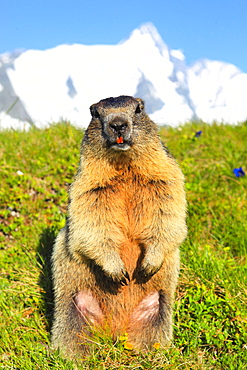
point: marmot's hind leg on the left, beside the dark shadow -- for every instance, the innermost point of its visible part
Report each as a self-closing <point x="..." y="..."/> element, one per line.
<point x="76" y="311"/>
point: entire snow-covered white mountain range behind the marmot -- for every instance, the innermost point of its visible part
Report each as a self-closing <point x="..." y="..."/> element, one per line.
<point x="41" y="87"/>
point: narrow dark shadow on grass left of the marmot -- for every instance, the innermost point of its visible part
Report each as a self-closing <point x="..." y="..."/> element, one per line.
<point x="44" y="252"/>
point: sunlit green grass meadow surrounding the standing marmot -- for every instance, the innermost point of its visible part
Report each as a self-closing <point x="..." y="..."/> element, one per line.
<point x="210" y="313"/>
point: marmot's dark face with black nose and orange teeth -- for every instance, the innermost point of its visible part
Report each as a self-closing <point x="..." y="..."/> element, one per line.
<point x="118" y="117"/>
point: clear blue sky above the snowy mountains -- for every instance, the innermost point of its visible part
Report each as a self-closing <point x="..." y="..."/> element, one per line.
<point x="214" y="29"/>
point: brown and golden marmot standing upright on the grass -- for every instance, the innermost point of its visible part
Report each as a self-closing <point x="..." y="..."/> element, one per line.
<point x="116" y="261"/>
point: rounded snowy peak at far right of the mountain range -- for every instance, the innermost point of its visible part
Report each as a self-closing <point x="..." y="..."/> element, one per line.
<point x="222" y="93"/>
